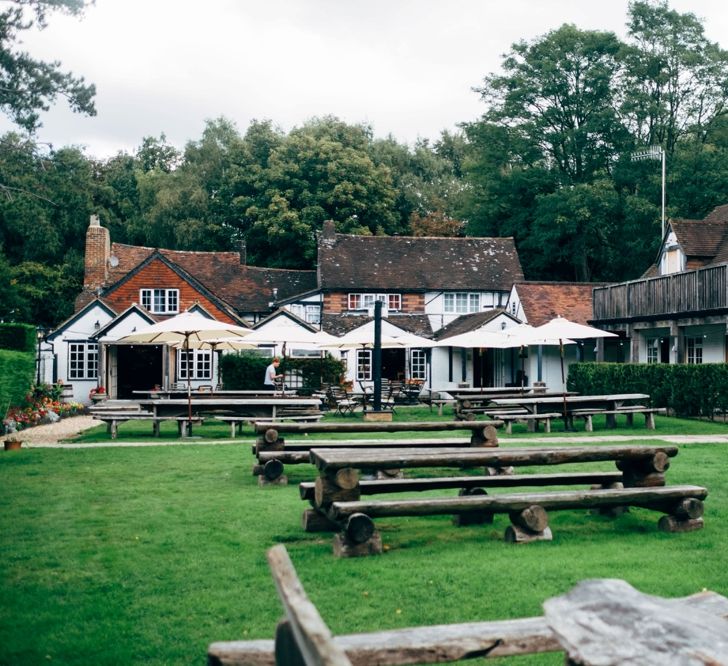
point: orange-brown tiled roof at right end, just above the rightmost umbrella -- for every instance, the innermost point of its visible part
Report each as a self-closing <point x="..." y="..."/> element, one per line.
<point x="542" y="301"/>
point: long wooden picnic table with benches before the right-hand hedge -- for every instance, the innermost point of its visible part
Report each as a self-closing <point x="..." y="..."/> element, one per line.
<point x="583" y="406"/>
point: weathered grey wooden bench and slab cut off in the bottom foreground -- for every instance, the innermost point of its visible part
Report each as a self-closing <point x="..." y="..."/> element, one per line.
<point x="697" y="621"/>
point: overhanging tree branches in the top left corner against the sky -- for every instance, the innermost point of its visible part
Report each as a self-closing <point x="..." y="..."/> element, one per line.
<point x="28" y="86"/>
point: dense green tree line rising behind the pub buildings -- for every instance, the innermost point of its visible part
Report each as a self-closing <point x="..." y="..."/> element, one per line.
<point x="549" y="163"/>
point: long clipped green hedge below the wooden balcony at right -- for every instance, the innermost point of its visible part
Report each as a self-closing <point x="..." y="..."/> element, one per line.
<point x="688" y="390"/>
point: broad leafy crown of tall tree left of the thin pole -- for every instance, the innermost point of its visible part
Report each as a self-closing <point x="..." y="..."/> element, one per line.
<point x="559" y="93"/>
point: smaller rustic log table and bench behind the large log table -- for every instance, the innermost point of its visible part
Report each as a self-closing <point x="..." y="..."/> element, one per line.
<point x="273" y="453"/>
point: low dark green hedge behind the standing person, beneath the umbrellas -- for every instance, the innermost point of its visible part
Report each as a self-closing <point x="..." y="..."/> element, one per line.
<point x="246" y="371"/>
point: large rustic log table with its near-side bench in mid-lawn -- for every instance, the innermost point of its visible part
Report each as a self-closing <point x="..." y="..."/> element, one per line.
<point x="338" y="490"/>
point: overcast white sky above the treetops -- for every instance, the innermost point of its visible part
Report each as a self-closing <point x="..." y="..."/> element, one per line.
<point x="407" y="67"/>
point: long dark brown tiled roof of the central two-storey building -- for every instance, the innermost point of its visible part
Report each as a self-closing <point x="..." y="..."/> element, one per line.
<point x="417" y="263"/>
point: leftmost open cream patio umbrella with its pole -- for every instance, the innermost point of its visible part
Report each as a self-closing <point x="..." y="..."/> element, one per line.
<point x="186" y="328"/>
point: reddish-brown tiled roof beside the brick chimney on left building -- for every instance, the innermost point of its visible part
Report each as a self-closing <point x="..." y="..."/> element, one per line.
<point x="245" y="288"/>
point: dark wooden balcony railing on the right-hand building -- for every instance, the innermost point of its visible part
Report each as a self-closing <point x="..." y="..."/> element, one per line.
<point x="692" y="291"/>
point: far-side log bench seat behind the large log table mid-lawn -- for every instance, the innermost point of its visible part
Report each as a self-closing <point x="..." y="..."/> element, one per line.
<point x="381" y="486"/>
